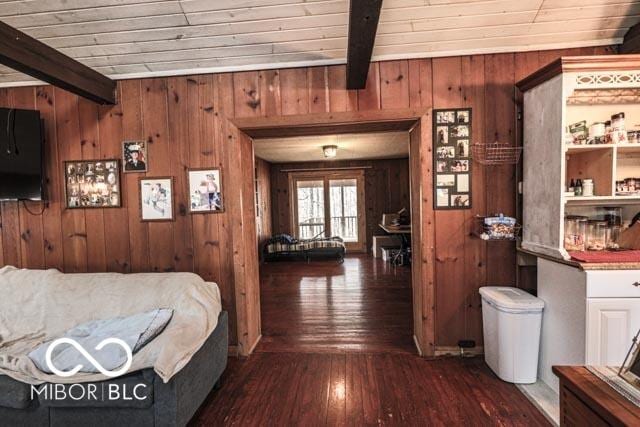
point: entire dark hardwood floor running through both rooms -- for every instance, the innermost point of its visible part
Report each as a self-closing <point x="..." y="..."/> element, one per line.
<point x="337" y="349"/>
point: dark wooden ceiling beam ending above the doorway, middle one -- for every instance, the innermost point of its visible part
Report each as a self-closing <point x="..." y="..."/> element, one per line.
<point x="363" y="24"/>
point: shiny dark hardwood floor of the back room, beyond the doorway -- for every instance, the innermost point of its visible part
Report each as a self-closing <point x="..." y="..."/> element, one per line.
<point x="362" y="305"/>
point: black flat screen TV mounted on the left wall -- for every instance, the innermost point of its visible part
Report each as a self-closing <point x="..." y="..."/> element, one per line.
<point x="21" y="172"/>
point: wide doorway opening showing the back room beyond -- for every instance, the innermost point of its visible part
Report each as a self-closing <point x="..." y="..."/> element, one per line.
<point x="319" y="300"/>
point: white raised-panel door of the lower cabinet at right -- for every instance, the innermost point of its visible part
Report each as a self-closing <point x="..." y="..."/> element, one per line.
<point x="611" y="324"/>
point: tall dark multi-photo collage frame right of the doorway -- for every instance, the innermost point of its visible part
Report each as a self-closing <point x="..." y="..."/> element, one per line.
<point x="452" y="165"/>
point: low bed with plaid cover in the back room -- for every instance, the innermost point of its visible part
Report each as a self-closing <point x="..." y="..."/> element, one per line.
<point x="286" y="248"/>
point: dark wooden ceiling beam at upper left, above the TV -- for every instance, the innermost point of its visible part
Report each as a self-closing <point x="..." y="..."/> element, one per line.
<point x="25" y="54"/>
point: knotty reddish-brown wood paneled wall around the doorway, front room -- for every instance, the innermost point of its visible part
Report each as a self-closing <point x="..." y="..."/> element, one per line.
<point x="184" y="121"/>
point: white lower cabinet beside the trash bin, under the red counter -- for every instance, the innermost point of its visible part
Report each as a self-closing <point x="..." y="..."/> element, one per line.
<point x="589" y="317"/>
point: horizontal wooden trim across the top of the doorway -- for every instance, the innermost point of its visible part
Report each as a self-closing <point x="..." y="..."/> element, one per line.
<point x="326" y="123"/>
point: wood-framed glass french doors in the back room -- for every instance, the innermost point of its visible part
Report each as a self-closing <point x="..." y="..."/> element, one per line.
<point x="328" y="204"/>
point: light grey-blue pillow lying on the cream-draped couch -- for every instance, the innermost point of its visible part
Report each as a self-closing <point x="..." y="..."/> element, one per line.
<point x="136" y="331"/>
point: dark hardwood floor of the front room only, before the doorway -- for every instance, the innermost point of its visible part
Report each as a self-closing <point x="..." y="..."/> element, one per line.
<point x="356" y="389"/>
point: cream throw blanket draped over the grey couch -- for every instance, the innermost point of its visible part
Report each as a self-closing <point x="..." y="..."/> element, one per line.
<point x="40" y="305"/>
